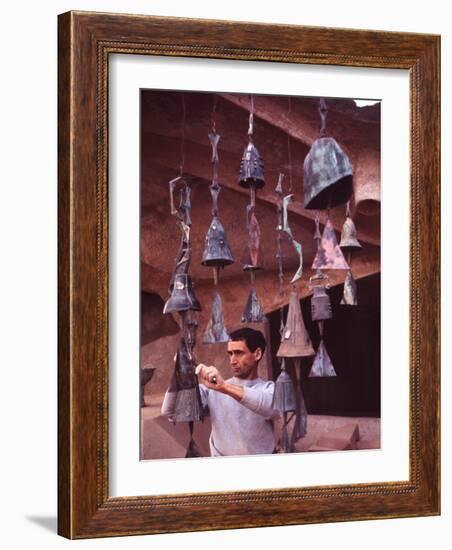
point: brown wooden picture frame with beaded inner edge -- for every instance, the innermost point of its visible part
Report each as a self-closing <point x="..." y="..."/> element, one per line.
<point x="85" y="508"/>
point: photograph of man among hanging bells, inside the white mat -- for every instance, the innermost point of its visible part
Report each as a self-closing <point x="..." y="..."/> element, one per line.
<point x="259" y="274"/>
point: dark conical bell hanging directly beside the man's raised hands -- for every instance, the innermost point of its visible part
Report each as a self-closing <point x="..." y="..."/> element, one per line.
<point x="188" y="406"/>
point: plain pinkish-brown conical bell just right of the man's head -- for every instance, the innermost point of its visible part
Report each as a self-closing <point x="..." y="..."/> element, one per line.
<point x="295" y="340"/>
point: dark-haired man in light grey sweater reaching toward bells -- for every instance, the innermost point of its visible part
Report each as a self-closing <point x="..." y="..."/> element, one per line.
<point x="240" y="407"/>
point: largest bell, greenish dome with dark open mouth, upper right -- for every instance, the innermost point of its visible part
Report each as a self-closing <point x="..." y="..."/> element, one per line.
<point x="328" y="178"/>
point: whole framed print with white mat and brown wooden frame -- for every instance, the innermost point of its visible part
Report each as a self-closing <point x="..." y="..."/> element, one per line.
<point x="248" y="274"/>
